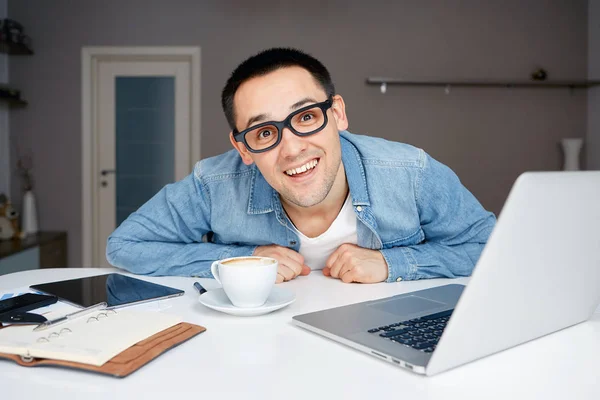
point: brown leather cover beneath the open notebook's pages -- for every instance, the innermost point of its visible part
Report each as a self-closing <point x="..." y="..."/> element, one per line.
<point x="129" y="360"/>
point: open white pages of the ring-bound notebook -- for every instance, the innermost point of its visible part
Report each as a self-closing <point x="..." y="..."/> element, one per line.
<point x="91" y="339"/>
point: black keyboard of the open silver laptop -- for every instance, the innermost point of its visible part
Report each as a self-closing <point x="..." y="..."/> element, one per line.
<point x="420" y="333"/>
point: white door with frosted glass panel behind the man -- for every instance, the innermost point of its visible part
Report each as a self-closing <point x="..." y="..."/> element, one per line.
<point x="143" y="138"/>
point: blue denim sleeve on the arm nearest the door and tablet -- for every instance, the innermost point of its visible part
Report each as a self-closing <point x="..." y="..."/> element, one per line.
<point x="165" y="235"/>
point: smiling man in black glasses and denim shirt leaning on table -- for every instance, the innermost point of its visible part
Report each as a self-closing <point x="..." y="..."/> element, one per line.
<point x="299" y="188"/>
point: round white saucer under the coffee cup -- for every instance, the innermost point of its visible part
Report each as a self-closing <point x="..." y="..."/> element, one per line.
<point x="218" y="300"/>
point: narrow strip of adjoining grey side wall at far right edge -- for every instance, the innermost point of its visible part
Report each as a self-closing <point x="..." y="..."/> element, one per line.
<point x="593" y="113"/>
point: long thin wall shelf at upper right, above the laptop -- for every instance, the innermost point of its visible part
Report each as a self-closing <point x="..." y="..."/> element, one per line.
<point x="384" y="82"/>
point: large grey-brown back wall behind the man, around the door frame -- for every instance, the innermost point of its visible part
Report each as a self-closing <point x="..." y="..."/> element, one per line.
<point x="488" y="136"/>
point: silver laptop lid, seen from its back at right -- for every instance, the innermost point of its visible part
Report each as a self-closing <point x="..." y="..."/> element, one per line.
<point x="539" y="272"/>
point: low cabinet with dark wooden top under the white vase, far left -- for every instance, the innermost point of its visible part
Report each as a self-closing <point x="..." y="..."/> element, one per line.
<point x="42" y="250"/>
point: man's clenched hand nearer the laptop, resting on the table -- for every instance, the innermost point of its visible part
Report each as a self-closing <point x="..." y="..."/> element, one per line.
<point x="351" y="263"/>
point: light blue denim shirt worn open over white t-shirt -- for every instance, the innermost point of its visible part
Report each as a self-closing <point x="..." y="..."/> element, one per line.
<point x="410" y="207"/>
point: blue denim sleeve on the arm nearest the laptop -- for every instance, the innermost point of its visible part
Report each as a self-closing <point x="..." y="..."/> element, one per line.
<point x="455" y="225"/>
